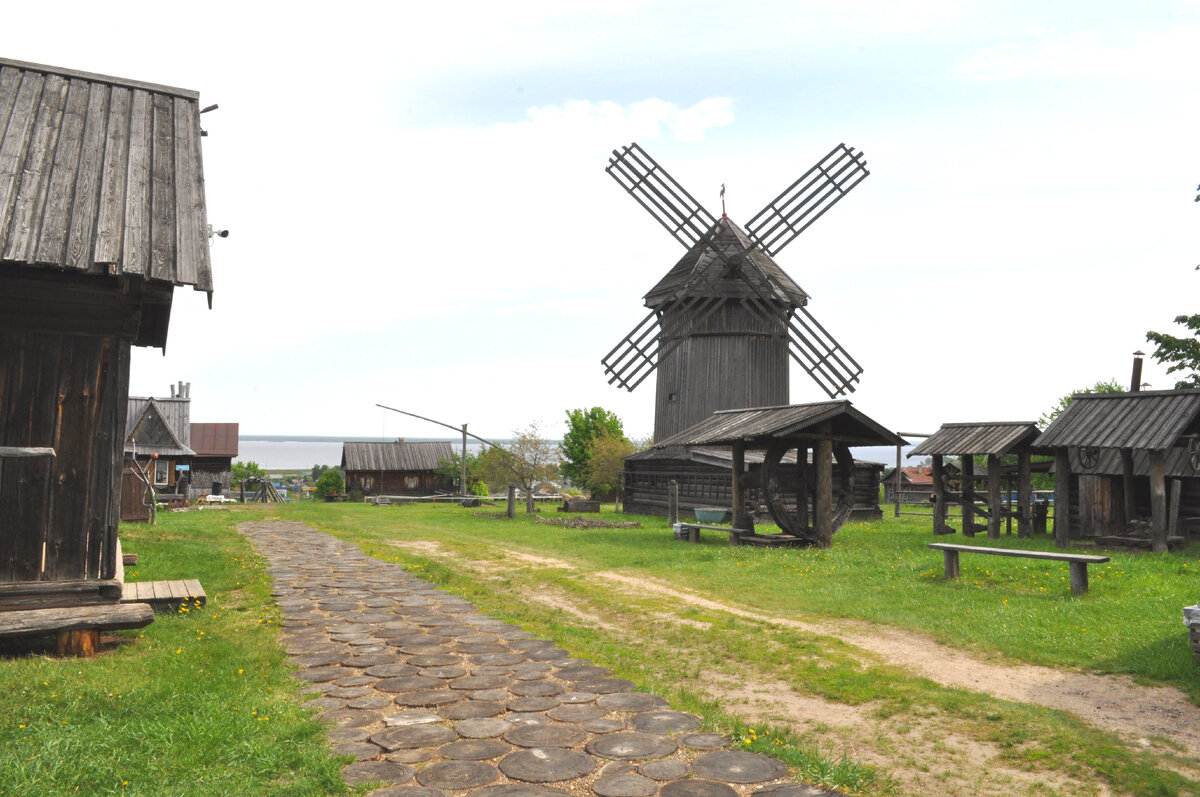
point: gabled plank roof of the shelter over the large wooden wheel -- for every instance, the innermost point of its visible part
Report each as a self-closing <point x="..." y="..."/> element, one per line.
<point x="763" y="426"/>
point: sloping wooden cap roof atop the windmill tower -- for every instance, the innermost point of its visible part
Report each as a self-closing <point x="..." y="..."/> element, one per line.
<point x="704" y="266"/>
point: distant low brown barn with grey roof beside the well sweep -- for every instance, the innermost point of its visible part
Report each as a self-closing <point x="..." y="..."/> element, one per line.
<point x="397" y="469"/>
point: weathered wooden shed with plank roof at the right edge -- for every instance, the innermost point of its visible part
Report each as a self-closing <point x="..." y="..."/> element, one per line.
<point x="1127" y="468"/>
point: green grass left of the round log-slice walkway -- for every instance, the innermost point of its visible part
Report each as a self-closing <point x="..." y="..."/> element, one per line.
<point x="199" y="703"/>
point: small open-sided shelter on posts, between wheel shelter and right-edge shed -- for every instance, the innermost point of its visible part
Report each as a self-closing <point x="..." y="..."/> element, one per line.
<point x="994" y="441"/>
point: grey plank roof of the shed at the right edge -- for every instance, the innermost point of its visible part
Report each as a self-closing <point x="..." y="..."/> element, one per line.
<point x="1151" y="421"/>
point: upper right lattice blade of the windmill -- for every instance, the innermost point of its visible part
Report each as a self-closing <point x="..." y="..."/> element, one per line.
<point x="807" y="200"/>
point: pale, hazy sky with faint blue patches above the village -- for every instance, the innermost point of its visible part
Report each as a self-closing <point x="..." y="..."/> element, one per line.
<point x="419" y="214"/>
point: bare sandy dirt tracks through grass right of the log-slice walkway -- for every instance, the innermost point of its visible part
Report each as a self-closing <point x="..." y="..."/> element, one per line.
<point x="1114" y="704"/>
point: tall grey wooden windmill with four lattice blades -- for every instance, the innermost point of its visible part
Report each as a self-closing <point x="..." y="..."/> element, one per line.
<point x="727" y="319"/>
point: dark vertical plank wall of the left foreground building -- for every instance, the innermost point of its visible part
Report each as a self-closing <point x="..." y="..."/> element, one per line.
<point x="69" y="393"/>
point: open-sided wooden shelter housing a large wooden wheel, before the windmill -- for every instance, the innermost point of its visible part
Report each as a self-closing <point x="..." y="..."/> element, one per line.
<point x="797" y="492"/>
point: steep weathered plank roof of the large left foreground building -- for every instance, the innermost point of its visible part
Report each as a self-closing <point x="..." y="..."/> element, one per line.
<point x="101" y="176"/>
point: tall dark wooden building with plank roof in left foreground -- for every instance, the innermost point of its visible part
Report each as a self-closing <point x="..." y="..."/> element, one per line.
<point x="103" y="215"/>
